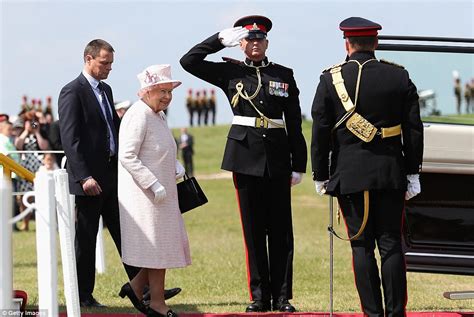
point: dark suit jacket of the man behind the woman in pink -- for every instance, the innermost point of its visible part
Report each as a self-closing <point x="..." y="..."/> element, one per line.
<point x="84" y="135"/>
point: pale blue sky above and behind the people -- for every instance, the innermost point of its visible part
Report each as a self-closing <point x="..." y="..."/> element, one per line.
<point x="42" y="41"/>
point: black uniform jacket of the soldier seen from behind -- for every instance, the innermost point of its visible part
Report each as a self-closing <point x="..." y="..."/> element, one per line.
<point x="387" y="97"/>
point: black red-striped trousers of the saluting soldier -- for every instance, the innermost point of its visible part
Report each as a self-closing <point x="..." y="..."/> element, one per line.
<point x="265" y="210"/>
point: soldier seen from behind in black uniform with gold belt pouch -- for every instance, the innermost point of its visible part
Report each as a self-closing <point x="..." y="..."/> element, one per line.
<point x="367" y="149"/>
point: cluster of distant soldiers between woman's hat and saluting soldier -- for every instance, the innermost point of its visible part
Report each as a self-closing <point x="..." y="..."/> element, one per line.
<point x="201" y="107"/>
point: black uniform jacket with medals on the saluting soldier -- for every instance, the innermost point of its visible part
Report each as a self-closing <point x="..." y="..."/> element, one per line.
<point x="250" y="150"/>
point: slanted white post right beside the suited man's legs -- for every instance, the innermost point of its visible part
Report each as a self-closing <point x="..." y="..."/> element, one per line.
<point x="66" y="223"/>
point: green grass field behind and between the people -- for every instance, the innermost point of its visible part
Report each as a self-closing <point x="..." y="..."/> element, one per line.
<point x="216" y="280"/>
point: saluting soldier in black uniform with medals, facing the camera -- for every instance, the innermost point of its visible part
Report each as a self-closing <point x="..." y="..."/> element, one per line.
<point x="265" y="158"/>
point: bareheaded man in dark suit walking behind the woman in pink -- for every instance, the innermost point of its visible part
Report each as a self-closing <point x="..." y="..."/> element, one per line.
<point x="89" y="129"/>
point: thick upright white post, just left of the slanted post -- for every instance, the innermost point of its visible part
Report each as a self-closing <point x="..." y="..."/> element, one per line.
<point x="46" y="243"/>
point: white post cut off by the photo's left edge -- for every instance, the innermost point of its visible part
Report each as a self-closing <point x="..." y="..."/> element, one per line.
<point x="6" y="263"/>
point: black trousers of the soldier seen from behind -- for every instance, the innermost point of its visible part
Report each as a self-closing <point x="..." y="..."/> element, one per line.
<point x="384" y="230"/>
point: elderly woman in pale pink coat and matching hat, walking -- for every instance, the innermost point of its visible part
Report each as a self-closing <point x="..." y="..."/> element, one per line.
<point x="152" y="228"/>
